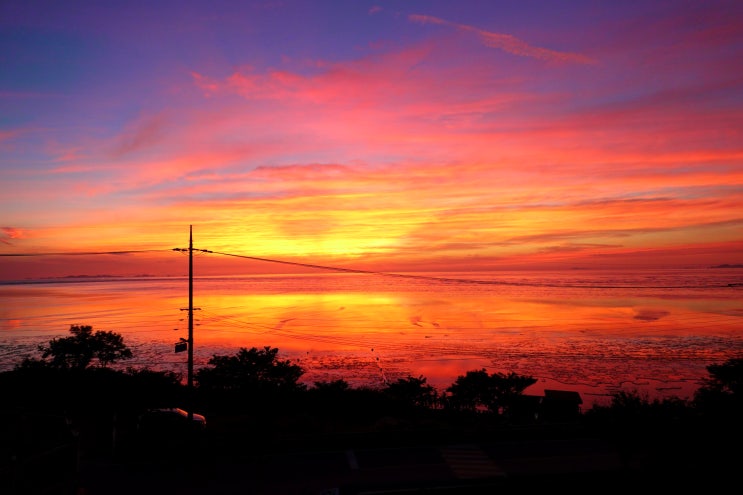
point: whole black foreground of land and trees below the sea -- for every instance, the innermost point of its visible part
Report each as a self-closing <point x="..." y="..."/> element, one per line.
<point x="91" y="431"/>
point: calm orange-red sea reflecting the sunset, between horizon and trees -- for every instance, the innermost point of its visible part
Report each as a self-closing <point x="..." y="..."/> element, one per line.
<point x="597" y="332"/>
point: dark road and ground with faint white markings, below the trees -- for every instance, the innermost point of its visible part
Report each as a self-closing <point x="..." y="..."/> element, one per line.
<point x="227" y="459"/>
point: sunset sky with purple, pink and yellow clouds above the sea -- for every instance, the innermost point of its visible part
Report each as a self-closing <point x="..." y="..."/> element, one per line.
<point x="373" y="135"/>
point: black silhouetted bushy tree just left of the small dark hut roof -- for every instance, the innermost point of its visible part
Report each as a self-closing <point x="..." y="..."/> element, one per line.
<point x="494" y="392"/>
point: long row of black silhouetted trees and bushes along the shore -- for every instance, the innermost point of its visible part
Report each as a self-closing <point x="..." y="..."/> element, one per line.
<point x="73" y="374"/>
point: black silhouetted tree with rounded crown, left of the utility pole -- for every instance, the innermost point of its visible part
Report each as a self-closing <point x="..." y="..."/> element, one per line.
<point x="81" y="349"/>
